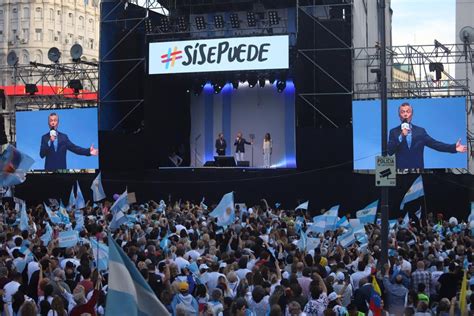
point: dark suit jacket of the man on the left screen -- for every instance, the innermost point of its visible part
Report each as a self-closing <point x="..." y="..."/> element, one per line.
<point x="56" y="159"/>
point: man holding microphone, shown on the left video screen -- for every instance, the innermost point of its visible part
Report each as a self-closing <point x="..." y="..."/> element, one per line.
<point x="54" y="146"/>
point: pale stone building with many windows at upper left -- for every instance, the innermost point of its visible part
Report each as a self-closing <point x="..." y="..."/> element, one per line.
<point x="31" y="27"/>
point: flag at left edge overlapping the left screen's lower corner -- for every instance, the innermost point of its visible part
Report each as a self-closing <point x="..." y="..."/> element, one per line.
<point x="13" y="166"/>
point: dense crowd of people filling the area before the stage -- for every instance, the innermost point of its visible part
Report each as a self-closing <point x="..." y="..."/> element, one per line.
<point x="268" y="261"/>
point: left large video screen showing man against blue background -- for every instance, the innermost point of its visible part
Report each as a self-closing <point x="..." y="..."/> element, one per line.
<point x="74" y="135"/>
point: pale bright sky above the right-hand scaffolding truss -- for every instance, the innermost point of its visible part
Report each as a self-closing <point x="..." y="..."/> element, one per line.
<point x="420" y="22"/>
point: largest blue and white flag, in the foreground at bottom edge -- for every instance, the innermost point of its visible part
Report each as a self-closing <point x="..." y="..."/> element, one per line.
<point x="128" y="293"/>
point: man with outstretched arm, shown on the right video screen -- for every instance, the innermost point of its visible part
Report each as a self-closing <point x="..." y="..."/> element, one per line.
<point x="408" y="141"/>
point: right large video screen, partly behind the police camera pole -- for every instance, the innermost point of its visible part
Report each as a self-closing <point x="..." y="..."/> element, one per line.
<point x="423" y="133"/>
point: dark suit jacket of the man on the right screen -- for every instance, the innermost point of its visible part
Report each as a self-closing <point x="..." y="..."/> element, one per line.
<point x="408" y="158"/>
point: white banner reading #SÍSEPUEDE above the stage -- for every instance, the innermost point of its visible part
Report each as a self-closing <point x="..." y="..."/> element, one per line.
<point x="224" y="54"/>
